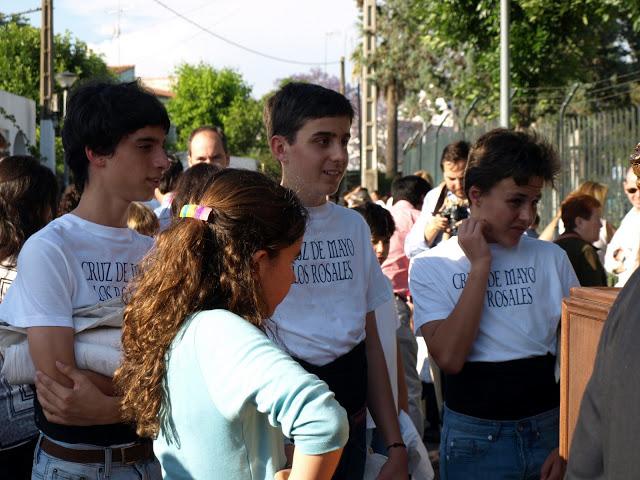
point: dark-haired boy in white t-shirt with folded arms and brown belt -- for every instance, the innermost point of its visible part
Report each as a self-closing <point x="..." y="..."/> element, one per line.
<point x="113" y="138"/>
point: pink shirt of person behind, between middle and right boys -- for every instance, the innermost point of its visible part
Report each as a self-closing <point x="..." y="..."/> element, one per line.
<point x="396" y="266"/>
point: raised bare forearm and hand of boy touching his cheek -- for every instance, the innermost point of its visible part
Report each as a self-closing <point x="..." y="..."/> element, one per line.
<point x="450" y="340"/>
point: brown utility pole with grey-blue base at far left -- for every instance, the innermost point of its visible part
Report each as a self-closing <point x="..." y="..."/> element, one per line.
<point x="47" y="132"/>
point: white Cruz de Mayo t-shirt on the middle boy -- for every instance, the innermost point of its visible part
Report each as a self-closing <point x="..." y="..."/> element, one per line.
<point x="338" y="280"/>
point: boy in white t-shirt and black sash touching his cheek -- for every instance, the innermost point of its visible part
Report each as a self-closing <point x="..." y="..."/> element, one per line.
<point x="488" y="304"/>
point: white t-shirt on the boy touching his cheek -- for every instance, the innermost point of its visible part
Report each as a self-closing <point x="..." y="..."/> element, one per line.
<point x="522" y="304"/>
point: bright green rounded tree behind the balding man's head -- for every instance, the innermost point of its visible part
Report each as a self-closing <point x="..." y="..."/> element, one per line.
<point x="206" y="96"/>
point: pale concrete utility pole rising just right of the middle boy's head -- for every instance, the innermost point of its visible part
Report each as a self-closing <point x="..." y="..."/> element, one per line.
<point x="369" y="95"/>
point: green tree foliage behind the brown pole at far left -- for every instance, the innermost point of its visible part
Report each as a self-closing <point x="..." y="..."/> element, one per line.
<point x="20" y="58"/>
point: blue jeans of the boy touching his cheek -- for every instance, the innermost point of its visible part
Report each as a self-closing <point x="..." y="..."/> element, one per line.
<point x="474" y="448"/>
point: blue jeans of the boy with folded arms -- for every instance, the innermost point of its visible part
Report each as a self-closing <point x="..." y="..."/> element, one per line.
<point x="46" y="467"/>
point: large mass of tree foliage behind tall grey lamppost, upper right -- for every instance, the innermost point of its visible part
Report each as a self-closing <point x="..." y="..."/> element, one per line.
<point x="450" y="48"/>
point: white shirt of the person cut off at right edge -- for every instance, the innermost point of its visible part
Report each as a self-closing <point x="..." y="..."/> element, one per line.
<point x="627" y="238"/>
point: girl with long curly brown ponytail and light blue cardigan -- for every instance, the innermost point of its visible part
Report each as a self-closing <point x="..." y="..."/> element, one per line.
<point x="199" y="374"/>
